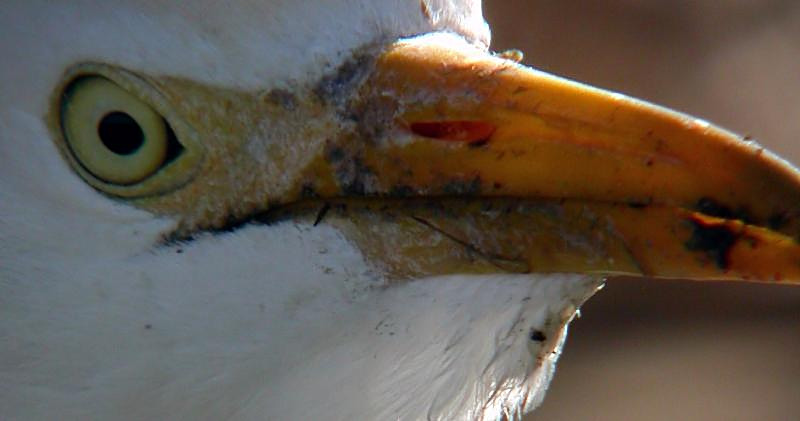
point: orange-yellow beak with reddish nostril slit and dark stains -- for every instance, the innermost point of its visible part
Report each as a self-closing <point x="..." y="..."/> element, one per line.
<point x="591" y="181"/>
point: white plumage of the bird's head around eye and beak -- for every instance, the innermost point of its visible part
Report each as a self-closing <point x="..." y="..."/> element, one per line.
<point x="99" y="320"/>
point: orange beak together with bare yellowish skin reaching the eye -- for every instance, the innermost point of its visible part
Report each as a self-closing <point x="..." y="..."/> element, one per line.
<point x="438" y="159"/>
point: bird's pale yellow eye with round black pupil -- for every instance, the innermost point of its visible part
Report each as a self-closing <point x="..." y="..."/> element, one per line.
<point x="112" y="134"/>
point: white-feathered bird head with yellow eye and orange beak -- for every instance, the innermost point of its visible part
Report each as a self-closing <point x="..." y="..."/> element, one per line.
<point x="342" y="209"/>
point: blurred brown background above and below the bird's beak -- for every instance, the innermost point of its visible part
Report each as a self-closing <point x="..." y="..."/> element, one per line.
<point x="667" y="350"/>
